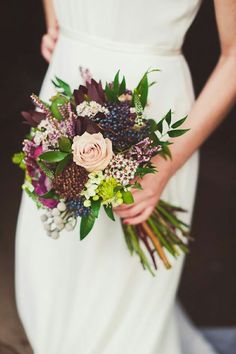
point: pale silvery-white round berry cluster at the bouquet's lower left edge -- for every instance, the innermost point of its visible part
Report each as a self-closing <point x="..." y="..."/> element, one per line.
<point x="57" y="219"/>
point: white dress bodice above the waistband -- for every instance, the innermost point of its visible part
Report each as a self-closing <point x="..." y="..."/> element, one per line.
<point x="161" y="23"/>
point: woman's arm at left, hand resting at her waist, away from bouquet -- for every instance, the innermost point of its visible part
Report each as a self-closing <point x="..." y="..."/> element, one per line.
<point x="50" y="38"/>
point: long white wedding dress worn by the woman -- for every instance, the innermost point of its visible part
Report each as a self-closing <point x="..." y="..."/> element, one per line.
<point x="91" y="296"/>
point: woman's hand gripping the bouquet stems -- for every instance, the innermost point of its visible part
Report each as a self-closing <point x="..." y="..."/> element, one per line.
<point x="146" y="199"/>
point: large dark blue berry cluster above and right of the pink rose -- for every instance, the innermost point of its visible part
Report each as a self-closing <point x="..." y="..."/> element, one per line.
<point x="119" y="126"/>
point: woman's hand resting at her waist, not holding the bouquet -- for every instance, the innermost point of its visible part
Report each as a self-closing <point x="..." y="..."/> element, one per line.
<point x="48" y="43"/>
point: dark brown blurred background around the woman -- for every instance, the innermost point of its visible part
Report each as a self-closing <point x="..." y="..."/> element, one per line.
<point x="208" y="287"/>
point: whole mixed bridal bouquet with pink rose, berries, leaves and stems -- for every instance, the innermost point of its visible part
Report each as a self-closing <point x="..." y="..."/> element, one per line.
<point x="86" y="149"/>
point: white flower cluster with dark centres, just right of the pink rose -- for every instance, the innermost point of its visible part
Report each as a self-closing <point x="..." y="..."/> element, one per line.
<point x="122" y="169"/>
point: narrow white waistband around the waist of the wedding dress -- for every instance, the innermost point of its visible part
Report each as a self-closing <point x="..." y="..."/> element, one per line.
<point x="107" y="44"/>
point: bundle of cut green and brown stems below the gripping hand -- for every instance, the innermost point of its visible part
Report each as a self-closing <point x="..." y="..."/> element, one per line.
<point x="162" y="232"/>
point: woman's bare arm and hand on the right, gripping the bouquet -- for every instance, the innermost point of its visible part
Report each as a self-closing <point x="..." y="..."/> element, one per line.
<point x="216" y="99"/>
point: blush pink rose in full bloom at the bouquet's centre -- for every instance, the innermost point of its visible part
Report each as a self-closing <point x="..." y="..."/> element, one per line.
<point x="92" y="151"/>
